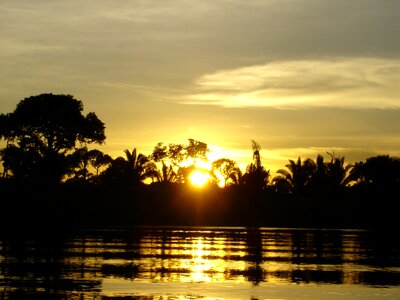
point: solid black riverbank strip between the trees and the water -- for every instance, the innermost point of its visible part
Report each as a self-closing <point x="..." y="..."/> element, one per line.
<point x="67" y="207"/>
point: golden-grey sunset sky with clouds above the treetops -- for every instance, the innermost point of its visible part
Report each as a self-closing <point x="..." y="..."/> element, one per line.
<point x="300" y="77"/>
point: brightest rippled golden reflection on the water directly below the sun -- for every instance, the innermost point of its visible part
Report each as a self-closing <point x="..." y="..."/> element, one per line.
<point x="194" y="259"/>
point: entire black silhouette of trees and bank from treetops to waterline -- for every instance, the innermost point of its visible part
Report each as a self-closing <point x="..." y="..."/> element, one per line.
<point x="51" y="176"/>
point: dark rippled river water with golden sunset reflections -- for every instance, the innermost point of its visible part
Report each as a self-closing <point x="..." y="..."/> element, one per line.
<point x="202" y="263"/>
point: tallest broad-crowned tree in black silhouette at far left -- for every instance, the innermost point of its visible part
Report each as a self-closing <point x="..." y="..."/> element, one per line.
<point x="41" y="131"/>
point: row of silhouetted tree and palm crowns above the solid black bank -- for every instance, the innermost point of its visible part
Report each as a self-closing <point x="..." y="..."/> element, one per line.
<point x="47" y="139"/>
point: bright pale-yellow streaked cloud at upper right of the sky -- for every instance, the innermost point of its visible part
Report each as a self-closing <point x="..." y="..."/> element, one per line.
<point x="340" y="82"/>
